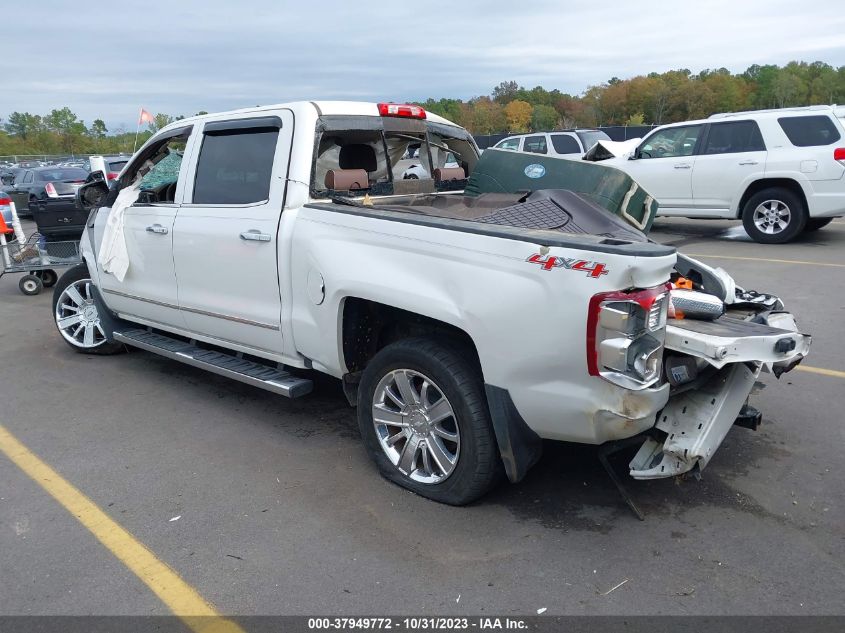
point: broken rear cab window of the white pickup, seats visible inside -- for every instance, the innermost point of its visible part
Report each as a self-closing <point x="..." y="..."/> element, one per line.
<point x="389" y="155"/>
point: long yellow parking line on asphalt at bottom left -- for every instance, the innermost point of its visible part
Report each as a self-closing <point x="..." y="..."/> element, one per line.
<point x="182" y="599"/>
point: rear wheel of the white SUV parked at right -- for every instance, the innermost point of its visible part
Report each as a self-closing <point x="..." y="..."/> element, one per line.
<point x="774" y="216"/>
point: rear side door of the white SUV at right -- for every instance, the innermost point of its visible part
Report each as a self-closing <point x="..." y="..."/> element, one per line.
<point x="732" y="153"/>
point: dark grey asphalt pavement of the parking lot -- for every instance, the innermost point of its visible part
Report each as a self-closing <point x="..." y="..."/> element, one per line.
<point x="265" y="505"/>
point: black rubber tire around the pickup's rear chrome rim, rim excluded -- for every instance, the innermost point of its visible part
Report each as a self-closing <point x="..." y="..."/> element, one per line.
<point x="478" y="460"/>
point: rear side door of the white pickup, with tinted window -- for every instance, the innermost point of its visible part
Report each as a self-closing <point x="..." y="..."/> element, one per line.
<point x="225" y="237"/>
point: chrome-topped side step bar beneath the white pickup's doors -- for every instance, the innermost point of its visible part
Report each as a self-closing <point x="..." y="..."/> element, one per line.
<point x="246" y="371"/>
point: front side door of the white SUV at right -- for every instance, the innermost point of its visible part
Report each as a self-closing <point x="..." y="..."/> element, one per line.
<point x="663" y="166"/>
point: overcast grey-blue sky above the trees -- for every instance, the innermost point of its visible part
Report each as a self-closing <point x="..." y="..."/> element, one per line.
<point x="106" y="59"/>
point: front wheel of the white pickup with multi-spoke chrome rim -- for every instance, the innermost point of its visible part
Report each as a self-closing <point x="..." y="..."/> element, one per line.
<point x="77" y="316"/>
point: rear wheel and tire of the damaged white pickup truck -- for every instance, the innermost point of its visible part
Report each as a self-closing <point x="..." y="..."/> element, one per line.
<point x="424" y="420"/>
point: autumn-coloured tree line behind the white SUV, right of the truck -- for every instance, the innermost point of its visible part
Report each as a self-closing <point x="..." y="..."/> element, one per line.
<point x="656" y="98"/>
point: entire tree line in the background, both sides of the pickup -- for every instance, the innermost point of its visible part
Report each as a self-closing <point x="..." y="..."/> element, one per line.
<point x="656" y="98"/>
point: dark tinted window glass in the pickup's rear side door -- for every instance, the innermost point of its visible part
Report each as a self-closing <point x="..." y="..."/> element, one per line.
<point x="234" y="166"/>
